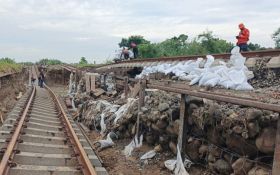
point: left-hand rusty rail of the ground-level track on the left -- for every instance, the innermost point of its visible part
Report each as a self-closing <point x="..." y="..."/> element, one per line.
<point x="4" y="165"/>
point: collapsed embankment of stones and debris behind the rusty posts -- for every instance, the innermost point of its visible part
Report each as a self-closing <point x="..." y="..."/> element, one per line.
<point x="221" y="138"/>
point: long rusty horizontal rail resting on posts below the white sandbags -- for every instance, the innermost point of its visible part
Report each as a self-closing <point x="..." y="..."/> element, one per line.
<point x="228" y="99"/>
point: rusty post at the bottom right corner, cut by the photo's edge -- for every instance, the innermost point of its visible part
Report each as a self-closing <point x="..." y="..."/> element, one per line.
<point x="276" y="160"/>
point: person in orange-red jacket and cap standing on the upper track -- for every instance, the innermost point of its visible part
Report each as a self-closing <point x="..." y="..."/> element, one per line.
<point x="243" y="38"/>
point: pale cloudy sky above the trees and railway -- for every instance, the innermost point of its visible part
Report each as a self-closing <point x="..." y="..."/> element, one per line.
<point x="69" y="29"/>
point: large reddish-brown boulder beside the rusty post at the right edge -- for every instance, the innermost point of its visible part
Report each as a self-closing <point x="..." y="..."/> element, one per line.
<point x="266" y="141"/>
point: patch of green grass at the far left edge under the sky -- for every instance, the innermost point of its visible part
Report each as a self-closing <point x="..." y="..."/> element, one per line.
<point x="9" y="65"/>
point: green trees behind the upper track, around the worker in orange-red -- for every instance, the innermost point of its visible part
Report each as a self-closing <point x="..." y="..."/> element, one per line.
<point x="204" y="43"/>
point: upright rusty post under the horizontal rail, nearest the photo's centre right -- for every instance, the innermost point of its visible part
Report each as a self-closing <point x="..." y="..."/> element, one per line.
<point x="183" y="125"/>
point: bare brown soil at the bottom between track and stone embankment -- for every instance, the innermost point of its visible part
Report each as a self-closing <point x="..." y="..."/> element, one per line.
<point x="116" y="162"/>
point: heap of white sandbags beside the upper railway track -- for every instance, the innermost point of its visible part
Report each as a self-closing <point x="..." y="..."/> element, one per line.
<point x="231" y="75"/>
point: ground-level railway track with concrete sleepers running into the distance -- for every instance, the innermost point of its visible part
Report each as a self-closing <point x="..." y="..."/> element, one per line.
<point x="39" y="138"/>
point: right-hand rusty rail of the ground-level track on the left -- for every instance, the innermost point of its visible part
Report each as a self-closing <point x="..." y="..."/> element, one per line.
<point x="82" y="157"/>
